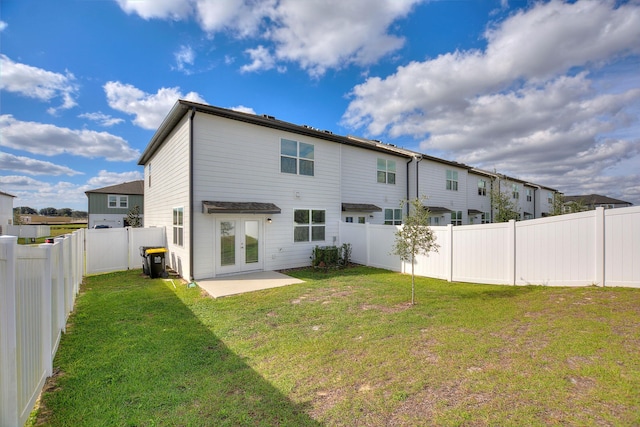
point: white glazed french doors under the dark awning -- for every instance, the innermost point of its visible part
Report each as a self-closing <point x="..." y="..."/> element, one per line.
<point x="238" y="245"/>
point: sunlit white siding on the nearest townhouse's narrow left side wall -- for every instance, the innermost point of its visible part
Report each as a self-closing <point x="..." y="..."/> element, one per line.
<point x="169" y="189"/>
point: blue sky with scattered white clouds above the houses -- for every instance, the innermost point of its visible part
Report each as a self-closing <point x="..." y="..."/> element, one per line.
<point x="547" y="92"/>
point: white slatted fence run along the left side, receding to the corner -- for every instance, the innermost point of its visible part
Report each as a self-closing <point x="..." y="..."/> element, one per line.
<point x="38" y="286"/>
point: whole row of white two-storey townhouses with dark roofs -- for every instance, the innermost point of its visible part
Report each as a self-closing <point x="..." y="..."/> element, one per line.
<point x="240" y="192"/>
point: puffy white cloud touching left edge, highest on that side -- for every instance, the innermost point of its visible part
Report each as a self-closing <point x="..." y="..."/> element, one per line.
<point x="37" y="83"/>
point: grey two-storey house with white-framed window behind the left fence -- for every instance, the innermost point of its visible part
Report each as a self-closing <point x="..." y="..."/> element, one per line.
<point x="110" y="206"/>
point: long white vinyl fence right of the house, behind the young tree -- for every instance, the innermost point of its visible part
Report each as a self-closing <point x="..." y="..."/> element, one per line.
<point x="600" y="247"/>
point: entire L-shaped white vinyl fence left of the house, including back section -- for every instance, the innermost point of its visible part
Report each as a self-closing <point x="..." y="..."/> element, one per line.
<point x="38" y="286"/>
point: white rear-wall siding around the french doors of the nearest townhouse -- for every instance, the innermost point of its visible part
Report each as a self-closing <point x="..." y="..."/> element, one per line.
<point x="240" y="162"/>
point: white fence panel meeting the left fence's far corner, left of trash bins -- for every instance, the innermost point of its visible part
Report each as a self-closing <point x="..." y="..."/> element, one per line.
<point x="107" y="250"/>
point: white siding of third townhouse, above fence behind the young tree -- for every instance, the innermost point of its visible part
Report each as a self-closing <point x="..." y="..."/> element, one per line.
<point x="432" y="179"/>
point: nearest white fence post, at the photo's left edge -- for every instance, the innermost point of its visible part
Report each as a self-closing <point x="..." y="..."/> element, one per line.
<point x="8" y="339"/>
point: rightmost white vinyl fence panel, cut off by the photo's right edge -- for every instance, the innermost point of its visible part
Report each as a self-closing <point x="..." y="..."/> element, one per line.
<point x="622" y="247"/>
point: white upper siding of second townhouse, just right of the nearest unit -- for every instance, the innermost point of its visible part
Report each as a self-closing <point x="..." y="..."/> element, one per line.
<point x="360" y="185"/>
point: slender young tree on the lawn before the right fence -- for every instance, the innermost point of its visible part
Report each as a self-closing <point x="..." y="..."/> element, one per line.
<point x="414" y="237"/>
